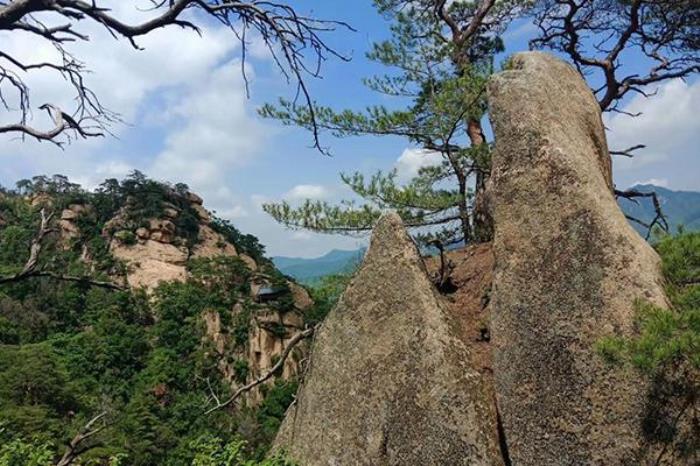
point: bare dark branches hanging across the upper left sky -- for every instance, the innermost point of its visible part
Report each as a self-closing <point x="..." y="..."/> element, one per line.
<point x="294" y="41"/>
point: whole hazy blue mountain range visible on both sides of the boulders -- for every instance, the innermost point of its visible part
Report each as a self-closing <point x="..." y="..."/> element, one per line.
<point x="681" y="208"/>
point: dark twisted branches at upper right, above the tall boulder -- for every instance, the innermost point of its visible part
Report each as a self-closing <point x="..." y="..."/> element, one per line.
<point x="662" y="31"/>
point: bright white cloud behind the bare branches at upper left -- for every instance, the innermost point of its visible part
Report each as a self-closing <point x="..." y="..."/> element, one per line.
<point x="119" y="74"/>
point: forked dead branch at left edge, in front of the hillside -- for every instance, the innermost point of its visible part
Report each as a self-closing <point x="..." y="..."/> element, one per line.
<point x="31" y="267"/>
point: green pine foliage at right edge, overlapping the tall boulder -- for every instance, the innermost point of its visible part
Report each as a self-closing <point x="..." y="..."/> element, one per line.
<point x="666" y="349"/>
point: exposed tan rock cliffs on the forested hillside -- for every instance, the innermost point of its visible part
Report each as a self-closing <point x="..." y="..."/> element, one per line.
<point x="154" y="251"/>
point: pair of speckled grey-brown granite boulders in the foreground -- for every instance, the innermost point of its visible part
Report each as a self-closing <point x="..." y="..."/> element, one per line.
<point x="503" y="370"/>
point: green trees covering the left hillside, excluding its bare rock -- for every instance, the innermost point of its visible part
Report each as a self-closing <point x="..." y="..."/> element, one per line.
<point x="70" y="352"/>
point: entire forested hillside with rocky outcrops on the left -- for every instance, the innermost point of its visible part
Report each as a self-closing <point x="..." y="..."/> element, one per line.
<point x="83" y="352"/>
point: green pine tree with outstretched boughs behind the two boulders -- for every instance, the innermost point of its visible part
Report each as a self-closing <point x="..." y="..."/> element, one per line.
<point x="440" y="57"/>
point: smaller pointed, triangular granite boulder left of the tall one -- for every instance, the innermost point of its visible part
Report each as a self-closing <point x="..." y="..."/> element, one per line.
<point x="389" y="381"/>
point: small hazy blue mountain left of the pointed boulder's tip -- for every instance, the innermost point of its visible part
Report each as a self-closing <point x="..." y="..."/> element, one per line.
<point x="309" y="271"/>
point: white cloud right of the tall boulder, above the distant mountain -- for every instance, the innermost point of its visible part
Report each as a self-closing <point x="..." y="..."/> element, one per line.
<point x="669" y="127"/>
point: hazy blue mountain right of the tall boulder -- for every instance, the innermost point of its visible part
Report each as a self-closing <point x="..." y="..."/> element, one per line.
<point x="679" y="207"/>
